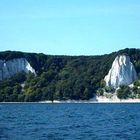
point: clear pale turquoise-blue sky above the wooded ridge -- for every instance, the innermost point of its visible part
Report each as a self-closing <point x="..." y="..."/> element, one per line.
<point x="69" y="27"/>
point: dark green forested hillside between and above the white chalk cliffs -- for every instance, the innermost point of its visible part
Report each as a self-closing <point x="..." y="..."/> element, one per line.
<point x="60" y="77"/>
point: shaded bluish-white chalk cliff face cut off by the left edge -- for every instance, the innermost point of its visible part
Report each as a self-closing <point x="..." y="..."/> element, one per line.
<point x="11" y="67"/>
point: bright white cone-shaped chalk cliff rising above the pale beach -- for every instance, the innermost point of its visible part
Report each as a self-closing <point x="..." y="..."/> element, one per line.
<point x="122" y="72"/>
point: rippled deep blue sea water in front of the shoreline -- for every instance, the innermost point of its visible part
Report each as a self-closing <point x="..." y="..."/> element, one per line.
<point x="34" y="121"/>
